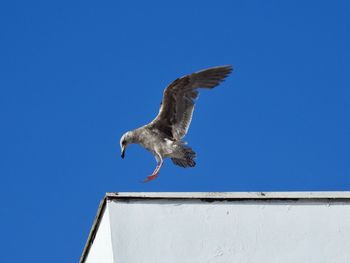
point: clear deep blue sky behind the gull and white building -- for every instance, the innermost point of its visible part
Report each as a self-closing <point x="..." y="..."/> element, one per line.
<point x="75" y="75"/>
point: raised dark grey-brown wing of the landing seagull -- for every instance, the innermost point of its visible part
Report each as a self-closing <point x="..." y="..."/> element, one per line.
<point x="177" y="107"/>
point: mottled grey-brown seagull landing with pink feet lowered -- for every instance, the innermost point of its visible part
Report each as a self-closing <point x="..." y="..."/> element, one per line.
<point x="163" y="136"/>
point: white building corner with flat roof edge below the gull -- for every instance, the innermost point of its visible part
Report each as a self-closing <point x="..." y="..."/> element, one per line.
<point x="221" y="227"/>
